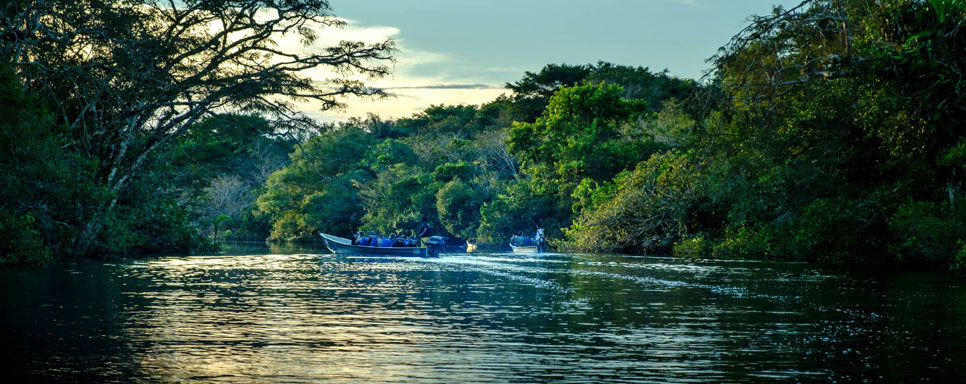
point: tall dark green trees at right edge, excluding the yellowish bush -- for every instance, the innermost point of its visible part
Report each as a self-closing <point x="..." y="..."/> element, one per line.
<point x="843" y="132"/>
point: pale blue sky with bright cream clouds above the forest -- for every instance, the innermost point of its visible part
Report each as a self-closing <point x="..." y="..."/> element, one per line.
<point x="463" y="52"/>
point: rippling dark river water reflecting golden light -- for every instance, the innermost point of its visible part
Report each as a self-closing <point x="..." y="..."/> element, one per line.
<point x="277" y="315"/>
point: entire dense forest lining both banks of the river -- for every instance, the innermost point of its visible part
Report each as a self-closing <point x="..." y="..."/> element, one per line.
<point x="829" y="132"/>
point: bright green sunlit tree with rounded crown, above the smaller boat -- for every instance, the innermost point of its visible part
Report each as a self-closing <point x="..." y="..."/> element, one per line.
<point x="588" y="132"/>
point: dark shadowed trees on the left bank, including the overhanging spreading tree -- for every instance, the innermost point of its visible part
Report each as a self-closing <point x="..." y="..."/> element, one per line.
<point x="99" y="93"/>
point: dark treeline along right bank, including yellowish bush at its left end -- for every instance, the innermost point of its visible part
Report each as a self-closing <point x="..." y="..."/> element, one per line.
<point x="838" y="138"/>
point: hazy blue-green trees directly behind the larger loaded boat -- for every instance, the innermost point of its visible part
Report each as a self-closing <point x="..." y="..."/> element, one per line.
<point x="385" y="176"/>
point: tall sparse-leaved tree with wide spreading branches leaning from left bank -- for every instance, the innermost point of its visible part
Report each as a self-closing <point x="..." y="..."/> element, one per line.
<point x="127" y="77"/>
